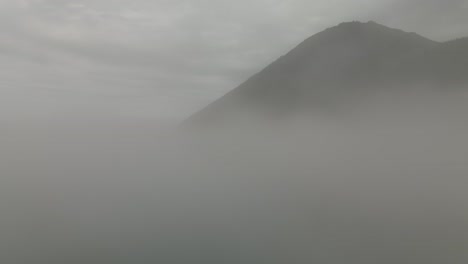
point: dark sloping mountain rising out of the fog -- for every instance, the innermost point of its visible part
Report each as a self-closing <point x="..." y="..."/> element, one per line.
<point x="351" y="59"/>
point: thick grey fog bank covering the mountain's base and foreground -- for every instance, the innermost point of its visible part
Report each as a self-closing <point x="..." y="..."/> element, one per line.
<point x="380" y="182"/>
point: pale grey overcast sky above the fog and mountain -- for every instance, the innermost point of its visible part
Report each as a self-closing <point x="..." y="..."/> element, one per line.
<point x="164" y="59"/>
